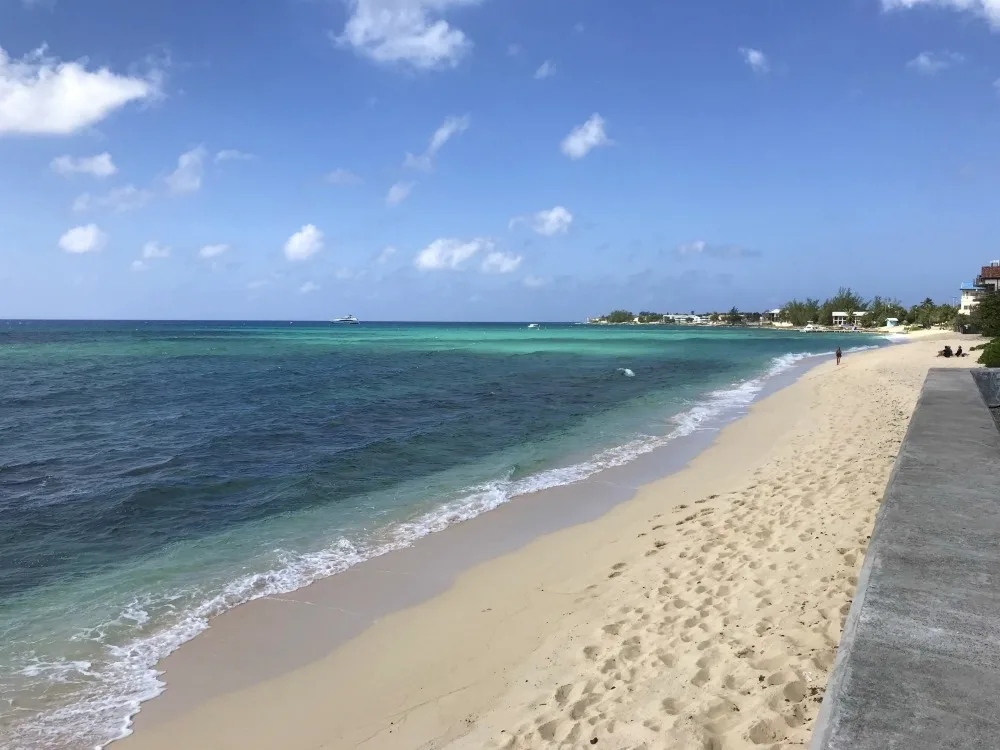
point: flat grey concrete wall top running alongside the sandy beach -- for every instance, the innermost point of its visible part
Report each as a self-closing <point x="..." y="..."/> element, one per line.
<point x="918" y="667"/>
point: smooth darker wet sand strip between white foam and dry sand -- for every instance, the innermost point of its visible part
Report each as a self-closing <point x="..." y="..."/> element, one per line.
<point x="436" y="559"/>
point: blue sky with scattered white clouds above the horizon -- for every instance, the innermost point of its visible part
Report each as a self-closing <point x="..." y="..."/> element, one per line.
<point x="491" y="159"/>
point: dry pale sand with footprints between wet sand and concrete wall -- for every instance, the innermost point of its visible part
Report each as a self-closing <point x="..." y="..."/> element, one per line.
<point x="703" y="613"/>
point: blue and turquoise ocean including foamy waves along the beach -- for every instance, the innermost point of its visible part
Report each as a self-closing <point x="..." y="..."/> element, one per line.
<point x="154" y="474"/>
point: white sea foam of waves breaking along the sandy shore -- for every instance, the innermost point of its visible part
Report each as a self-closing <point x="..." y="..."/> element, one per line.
<point x="115" y="689"/>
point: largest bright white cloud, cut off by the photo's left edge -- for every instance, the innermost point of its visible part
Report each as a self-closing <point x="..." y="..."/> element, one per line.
<point x="40" y="95"/>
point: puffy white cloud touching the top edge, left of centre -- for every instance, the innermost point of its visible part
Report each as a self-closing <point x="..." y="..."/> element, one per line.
<point x="410" y="32"/>
